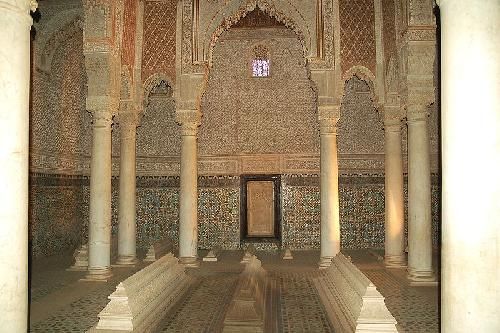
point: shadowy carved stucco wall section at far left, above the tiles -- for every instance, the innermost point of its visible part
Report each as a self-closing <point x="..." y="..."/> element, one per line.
<point x="60" y="125"/>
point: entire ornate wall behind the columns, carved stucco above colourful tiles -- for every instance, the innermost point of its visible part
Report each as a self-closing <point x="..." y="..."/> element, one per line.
<point x="241" y="115"/>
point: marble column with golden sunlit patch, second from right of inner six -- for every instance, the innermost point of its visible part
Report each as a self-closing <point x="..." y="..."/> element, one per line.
<point x="394" y="198"/>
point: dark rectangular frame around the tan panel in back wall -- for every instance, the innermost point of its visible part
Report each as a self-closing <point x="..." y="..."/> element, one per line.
<point x="276" y="179"/>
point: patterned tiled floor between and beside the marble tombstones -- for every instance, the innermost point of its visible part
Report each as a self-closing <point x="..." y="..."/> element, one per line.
<point x="60" y="303"/>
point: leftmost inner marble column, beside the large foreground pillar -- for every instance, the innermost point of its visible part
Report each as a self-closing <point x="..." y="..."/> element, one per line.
<point x="99" y="249"/>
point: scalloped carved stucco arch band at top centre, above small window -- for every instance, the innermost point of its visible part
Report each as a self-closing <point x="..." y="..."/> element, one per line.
<point x="282" y="10"/>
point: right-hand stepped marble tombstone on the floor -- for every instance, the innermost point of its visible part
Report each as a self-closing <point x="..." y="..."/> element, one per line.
<point x="351" y="301"/>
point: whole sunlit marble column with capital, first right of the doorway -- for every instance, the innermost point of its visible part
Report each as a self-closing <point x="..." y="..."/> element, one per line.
<point x="329" y="186"/>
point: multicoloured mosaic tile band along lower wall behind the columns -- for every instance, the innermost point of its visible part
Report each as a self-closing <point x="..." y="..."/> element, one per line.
<point x="59" y="212"/>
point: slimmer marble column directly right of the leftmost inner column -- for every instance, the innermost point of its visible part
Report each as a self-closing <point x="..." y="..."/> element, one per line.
<point x="127" y="190"/>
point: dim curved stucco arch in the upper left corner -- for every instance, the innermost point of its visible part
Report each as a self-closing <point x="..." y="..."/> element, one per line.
<point x="54" y="33"/>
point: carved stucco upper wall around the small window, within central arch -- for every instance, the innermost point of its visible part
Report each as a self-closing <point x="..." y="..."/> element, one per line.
<point x="248" y="115"/>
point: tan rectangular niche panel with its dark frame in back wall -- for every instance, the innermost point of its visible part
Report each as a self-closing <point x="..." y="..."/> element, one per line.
<point x="260" y="208"/>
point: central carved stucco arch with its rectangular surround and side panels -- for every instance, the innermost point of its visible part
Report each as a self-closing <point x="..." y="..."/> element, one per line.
<point x="198" y="42"/>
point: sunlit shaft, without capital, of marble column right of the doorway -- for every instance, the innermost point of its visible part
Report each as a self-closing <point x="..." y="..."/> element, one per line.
<point x="329" y="188"/>
